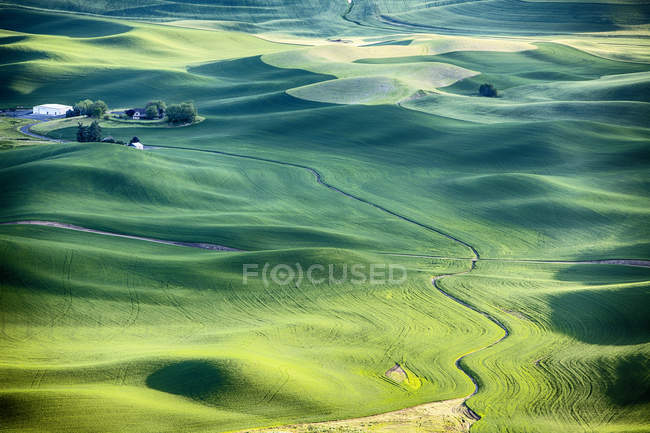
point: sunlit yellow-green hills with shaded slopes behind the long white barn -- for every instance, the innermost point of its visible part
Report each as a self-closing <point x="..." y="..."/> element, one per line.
<point x="152" y="59"/>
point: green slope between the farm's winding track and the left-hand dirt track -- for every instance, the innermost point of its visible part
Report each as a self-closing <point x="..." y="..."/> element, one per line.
<point x="194" y="197"/>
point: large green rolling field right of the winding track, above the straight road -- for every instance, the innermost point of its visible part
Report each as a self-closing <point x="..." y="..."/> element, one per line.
<point x="529" y="186"/>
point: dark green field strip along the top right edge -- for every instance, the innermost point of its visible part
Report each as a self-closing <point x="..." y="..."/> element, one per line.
<point x="499" y="17"/>
